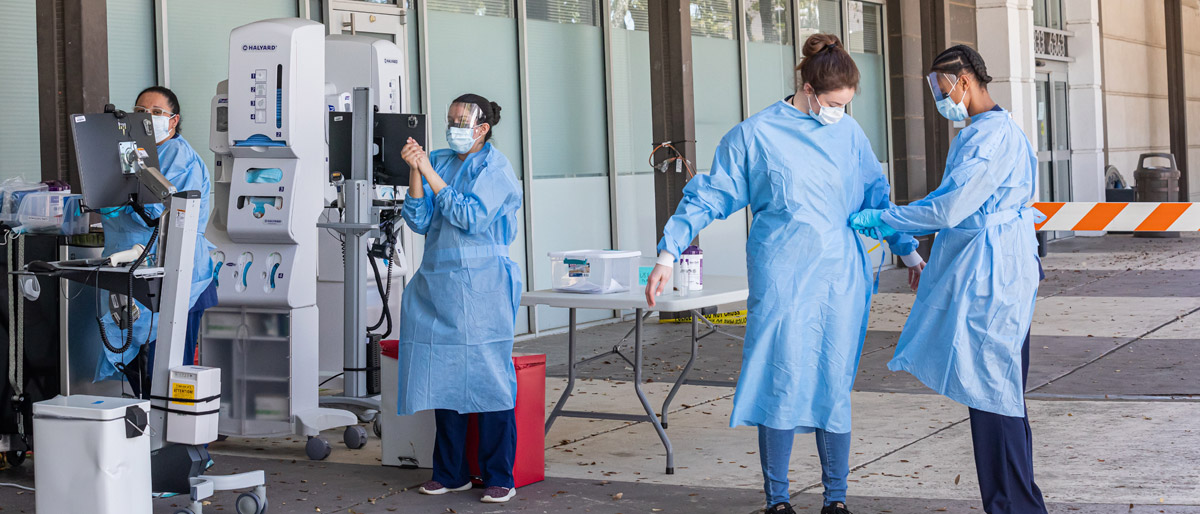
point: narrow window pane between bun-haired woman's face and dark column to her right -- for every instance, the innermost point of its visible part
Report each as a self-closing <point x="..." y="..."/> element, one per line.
<point x="871" y="107"/>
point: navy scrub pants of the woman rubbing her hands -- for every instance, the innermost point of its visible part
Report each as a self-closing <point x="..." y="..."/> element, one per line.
<point x="497" y="449"/>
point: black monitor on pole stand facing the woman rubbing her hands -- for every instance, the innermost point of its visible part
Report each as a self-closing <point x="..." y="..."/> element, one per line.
<point x="392" y="133"/>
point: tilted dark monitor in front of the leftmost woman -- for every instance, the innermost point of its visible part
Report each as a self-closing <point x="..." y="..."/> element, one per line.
<point x="107" y="148"/>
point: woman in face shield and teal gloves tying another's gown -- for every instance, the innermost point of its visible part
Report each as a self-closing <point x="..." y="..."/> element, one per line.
<point x="969" y="334"/>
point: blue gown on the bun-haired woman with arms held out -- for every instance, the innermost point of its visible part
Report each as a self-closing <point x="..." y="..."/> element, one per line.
<point x="809" y="274"/>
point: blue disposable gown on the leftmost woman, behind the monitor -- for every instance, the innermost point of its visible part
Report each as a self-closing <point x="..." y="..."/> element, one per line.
<point x="185" y="169"/>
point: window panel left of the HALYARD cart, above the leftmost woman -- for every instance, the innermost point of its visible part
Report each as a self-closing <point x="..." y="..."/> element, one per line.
<point x="200" y="55"/>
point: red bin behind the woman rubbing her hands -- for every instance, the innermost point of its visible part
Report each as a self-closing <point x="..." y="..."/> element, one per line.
<point x="530" y="467"/>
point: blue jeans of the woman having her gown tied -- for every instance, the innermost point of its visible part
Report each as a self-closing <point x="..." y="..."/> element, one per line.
<point x="776" y="453"/>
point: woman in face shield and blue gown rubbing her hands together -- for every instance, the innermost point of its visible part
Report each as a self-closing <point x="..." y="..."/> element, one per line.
<point x="459" y="313"/>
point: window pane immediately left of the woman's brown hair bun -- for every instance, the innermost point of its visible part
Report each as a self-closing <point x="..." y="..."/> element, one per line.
<point x="771" y="56"/>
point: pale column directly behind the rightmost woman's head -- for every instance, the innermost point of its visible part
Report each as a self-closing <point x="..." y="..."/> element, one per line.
<point x="1006" y="43"/>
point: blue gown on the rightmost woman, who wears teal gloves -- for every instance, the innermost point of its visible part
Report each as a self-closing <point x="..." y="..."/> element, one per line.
<point x="976" y="298"/>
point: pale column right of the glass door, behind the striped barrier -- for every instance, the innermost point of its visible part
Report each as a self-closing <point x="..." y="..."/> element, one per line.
<point x="1087" y="100"/>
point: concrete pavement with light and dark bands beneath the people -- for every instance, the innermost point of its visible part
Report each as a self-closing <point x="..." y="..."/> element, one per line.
<point x="1113" y="397"/>
